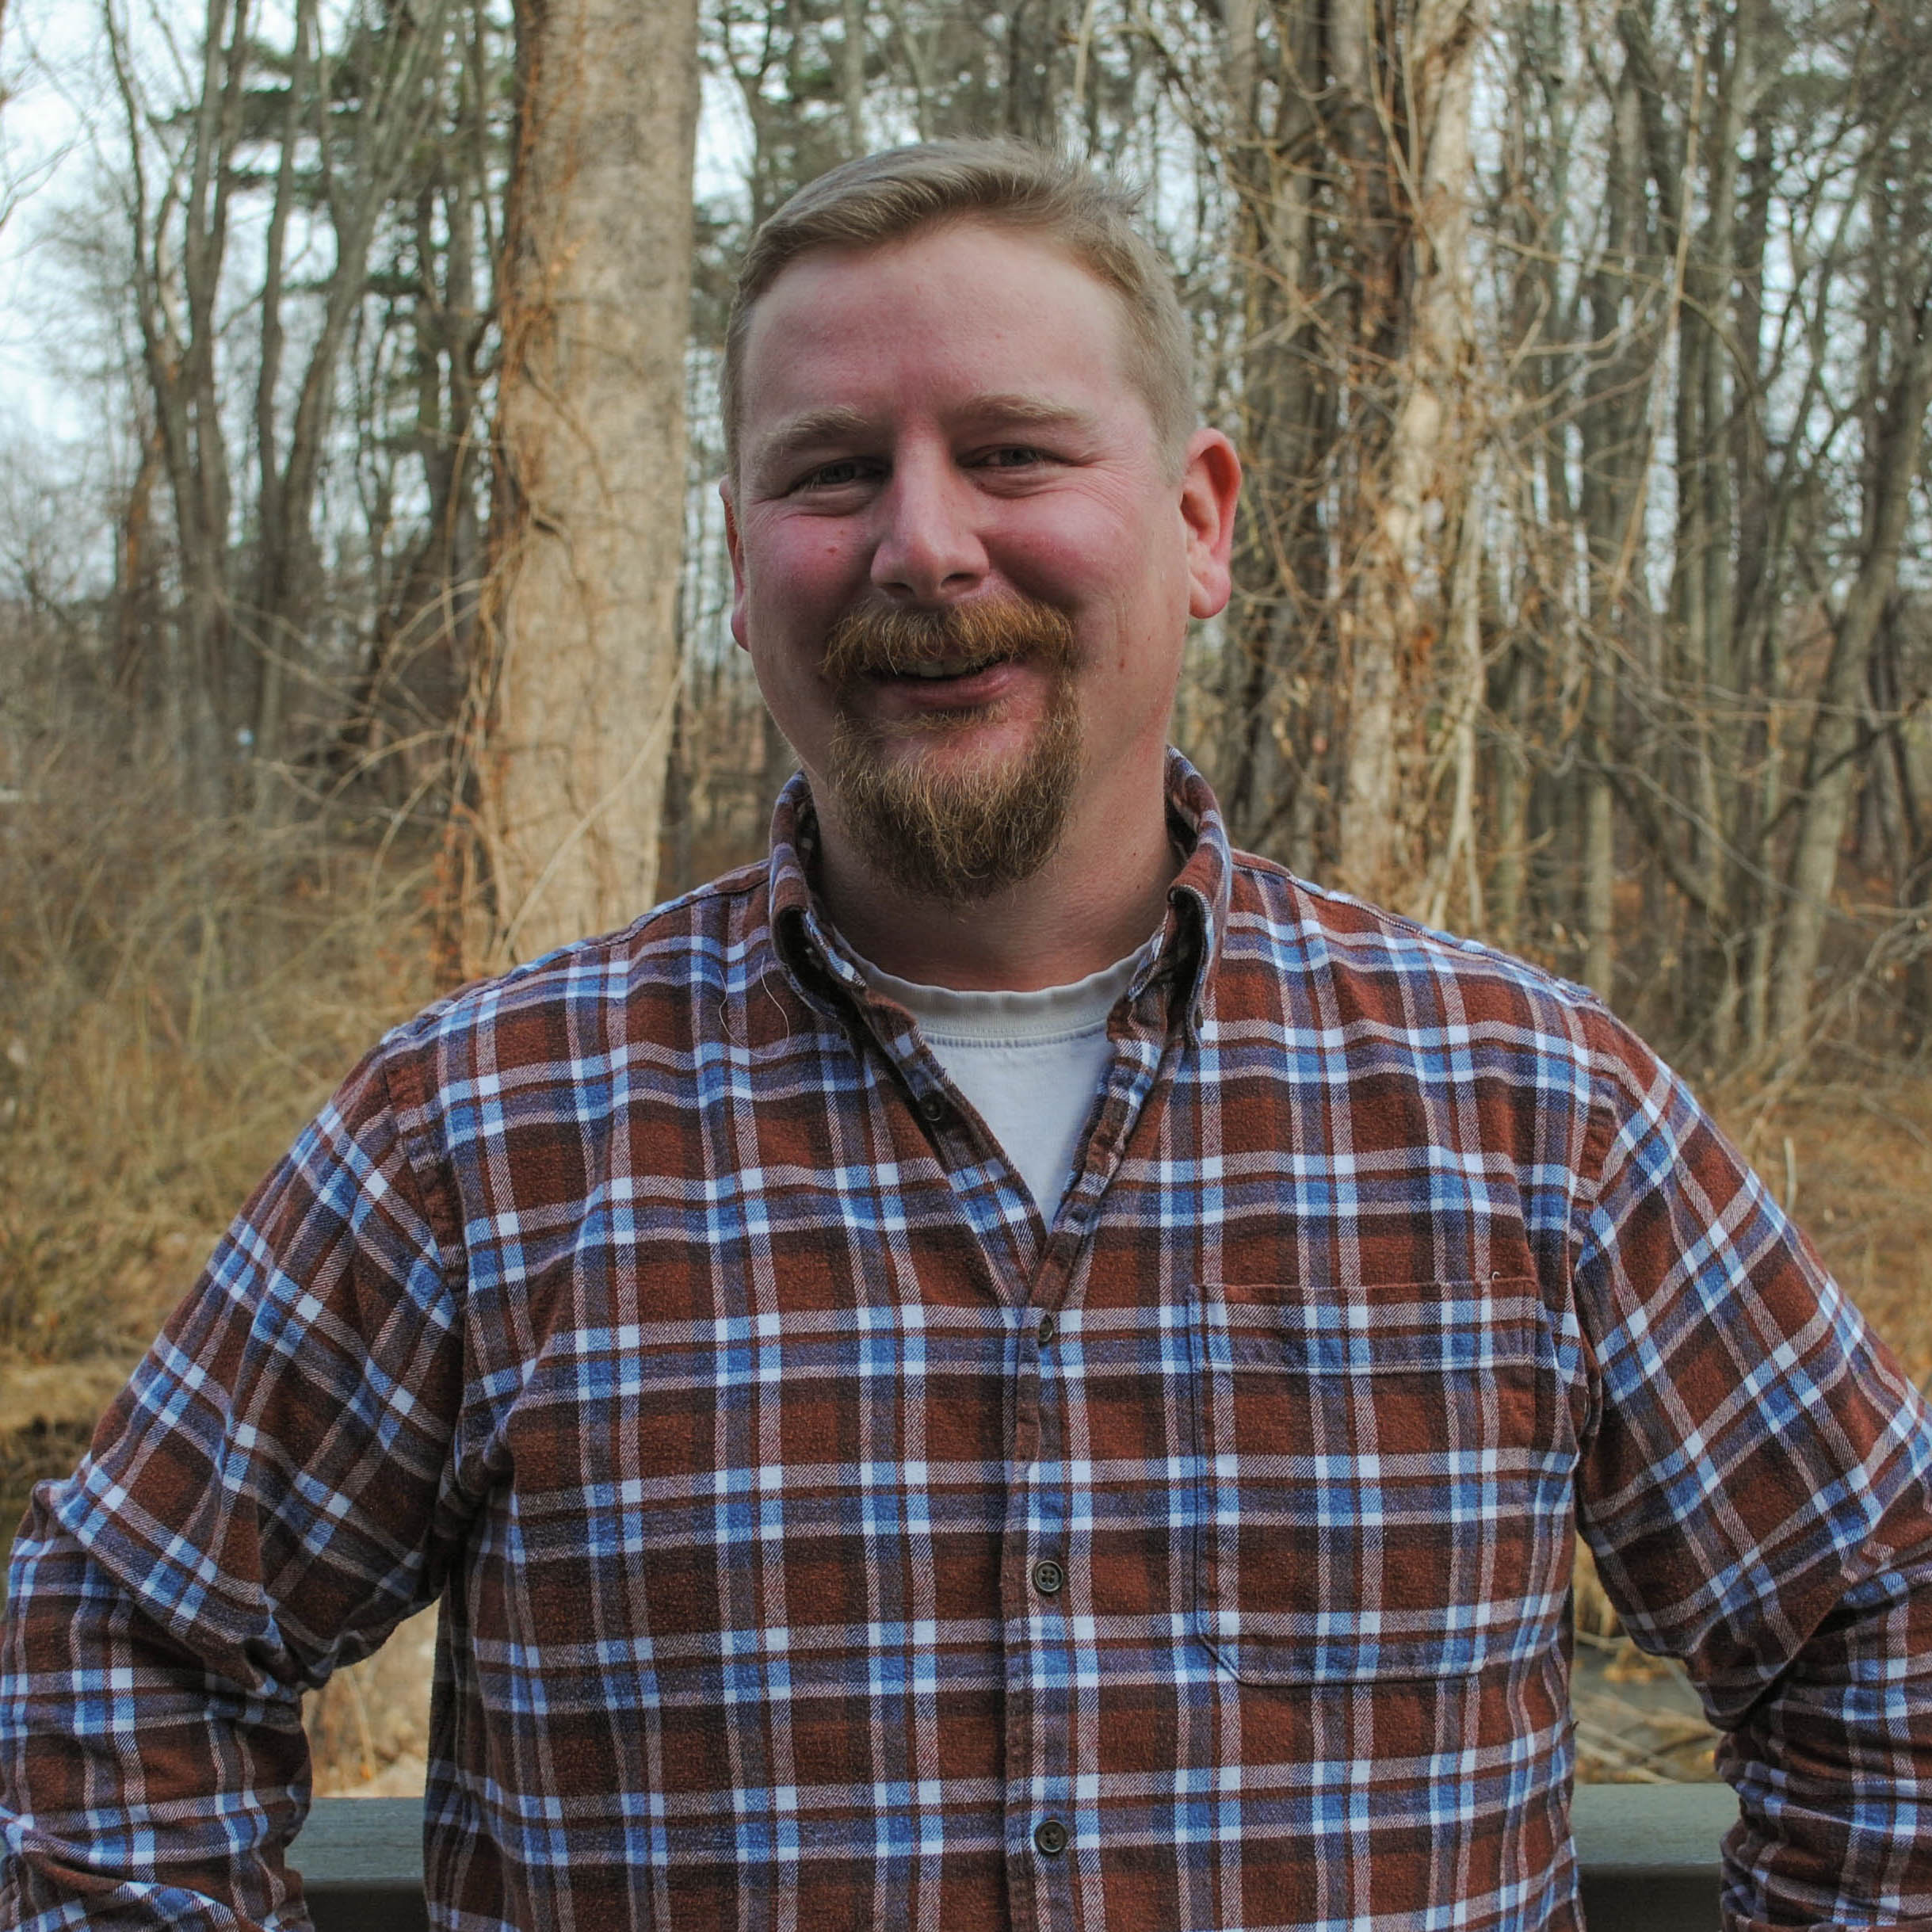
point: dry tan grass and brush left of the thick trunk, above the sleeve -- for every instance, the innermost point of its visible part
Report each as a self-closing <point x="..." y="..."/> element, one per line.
<point x="177" y="998"/>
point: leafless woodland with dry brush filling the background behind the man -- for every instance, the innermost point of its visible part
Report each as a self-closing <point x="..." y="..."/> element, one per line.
<point x="364" y="610"/>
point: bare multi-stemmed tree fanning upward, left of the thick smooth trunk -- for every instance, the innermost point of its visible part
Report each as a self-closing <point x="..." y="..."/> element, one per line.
<point x="339" y="123"/>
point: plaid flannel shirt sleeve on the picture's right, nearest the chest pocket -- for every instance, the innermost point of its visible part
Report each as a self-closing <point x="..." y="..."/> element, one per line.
<point x="1755" y="1492"/>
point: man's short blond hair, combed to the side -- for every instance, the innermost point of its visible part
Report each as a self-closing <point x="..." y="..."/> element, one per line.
<point x="1006" y="185"/>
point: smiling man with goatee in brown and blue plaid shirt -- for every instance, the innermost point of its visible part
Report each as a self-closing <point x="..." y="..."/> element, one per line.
<point x="1008" y="1365"/>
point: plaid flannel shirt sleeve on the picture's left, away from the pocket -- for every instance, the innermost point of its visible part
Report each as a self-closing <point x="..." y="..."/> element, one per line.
<point x="266" y="1500"/>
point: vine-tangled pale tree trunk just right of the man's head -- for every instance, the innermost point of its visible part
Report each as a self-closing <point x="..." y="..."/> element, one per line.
<point x="1346" y="140"/>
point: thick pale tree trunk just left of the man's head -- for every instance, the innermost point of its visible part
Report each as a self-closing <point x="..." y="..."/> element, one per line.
<point x="590" y="496"/>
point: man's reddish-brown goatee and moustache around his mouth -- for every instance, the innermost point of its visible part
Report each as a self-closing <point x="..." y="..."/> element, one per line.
<point x="955" y="836"/>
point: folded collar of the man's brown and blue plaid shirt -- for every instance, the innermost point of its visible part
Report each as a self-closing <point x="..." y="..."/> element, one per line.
<point x="1183" y="965"/>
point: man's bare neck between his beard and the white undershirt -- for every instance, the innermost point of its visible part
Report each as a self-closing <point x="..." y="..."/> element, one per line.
<point x="1091" y="905"/>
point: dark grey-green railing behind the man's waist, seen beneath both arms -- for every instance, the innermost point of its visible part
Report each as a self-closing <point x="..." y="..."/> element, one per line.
<point x="1649" y="1860"/>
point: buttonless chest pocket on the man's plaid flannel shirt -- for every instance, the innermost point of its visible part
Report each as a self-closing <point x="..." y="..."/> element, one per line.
<point x="1382" y="1481"/>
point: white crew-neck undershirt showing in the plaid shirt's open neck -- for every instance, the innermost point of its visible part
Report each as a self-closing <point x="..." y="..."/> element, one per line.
<point x="1031" y="1064"/>
